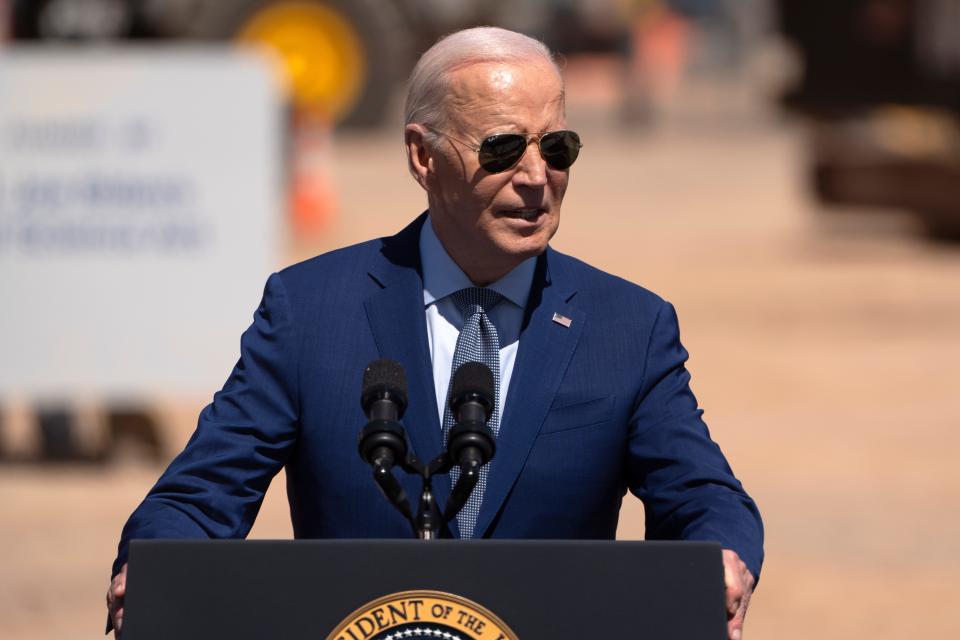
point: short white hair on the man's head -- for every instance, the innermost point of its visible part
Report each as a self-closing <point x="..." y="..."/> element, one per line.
<point x="430" y="80"/>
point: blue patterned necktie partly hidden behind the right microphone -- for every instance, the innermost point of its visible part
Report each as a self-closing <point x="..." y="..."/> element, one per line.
<point x="477" y="342"/>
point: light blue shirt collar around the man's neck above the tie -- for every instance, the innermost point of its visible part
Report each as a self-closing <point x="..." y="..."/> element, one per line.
<point x="442" y="276"/>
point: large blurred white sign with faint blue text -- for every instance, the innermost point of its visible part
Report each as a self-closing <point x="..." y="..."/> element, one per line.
<point x="140" y="210"/>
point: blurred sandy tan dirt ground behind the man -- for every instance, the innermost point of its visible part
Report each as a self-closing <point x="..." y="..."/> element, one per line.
<point x="825" y="350"/>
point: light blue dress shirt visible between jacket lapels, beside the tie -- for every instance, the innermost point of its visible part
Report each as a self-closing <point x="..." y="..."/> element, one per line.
<point x="441" y="278"/>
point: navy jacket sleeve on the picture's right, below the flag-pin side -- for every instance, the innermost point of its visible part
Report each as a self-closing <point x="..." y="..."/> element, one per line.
<point x="688" y="489"/>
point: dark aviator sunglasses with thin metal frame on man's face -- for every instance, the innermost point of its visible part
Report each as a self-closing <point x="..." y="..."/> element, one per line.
<point x="502" y="151"/>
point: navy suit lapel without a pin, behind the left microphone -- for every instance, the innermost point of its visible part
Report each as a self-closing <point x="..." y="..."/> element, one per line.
<point x="399" y="327"/>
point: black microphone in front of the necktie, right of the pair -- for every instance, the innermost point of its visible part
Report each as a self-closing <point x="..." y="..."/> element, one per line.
<point x="470" y="443"/>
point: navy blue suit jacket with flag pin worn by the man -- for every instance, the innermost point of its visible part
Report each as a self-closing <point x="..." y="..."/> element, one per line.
<point x="594" y="409"/>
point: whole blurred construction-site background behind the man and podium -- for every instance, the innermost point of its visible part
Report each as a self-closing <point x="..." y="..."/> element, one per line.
<point x="787" y="173"/>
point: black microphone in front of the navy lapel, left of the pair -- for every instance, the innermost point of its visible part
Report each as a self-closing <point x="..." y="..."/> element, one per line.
<point x="382" y="442"/>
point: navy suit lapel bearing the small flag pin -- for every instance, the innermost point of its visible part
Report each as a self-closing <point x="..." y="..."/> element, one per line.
<point x="545" y="349"/>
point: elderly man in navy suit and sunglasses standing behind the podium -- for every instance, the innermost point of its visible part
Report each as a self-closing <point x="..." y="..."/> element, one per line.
<point x="592" y="394"/>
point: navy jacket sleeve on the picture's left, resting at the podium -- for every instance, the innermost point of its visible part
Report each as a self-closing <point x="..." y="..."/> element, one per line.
<point x="215" y="487"/>
